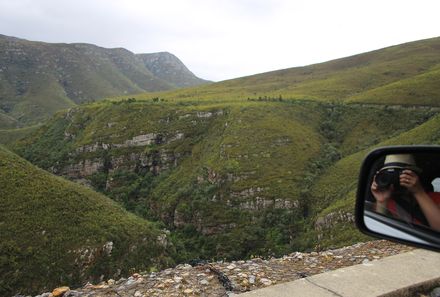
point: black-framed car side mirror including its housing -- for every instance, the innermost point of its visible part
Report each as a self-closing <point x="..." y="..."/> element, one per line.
<point x="398" y="196"/>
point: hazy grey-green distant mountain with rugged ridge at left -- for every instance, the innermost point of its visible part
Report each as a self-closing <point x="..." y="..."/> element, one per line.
<point x="37" y="79"/>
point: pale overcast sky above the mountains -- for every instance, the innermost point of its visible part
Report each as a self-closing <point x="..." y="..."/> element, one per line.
<point x="226" y="39"/>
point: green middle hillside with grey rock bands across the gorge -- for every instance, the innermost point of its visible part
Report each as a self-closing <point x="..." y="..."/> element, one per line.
<point x="208" y="169"/>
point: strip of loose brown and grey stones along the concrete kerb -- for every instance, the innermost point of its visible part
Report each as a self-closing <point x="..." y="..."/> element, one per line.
<point x="220" y="278"/>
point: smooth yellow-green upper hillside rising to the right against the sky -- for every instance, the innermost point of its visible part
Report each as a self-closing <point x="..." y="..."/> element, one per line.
<point x="404" y="74"/>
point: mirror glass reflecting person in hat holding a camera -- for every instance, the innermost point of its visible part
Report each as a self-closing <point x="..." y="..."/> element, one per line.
<point x="402" y="199"/>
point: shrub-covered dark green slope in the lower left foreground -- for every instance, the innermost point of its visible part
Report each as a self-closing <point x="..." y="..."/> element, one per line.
<point x="55" y="232"/>
